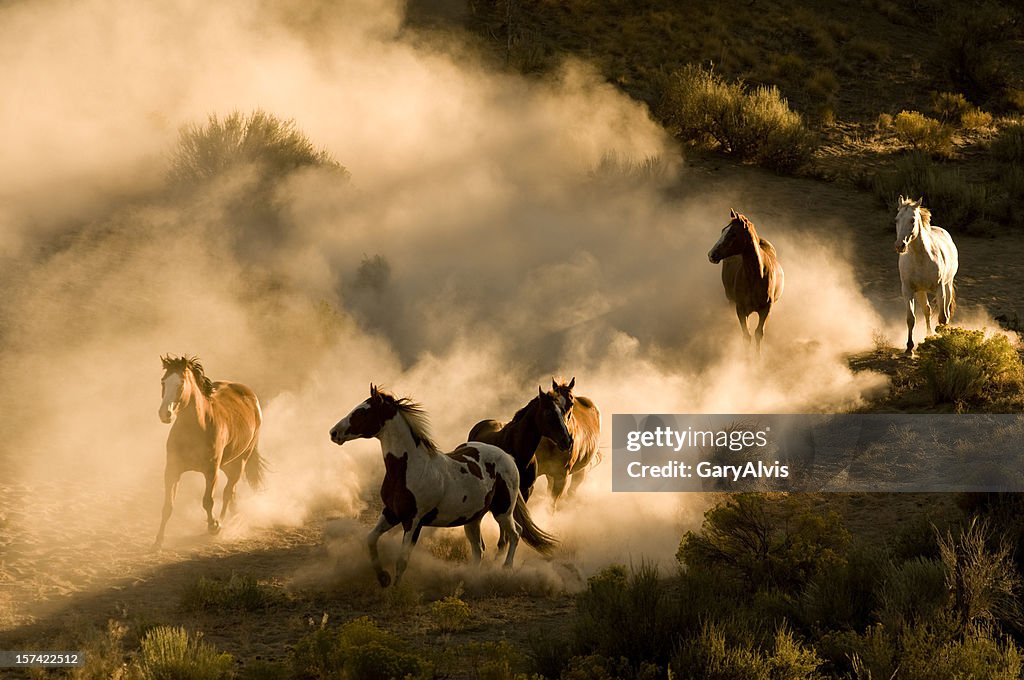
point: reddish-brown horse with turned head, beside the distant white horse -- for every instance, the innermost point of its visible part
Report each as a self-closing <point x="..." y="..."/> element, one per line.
<point x="751" y="273"/>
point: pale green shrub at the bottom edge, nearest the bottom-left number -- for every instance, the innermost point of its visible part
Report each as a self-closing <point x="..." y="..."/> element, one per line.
<point x="170" y="654"/>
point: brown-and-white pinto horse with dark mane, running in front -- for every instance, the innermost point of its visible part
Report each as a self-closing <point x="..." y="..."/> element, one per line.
<point x="425" y="488"/>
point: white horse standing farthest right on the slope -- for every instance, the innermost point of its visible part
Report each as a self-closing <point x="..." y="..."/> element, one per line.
<point x="928" y="263"/>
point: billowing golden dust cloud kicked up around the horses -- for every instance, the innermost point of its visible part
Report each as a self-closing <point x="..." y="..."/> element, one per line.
<point x="496" y="232"/>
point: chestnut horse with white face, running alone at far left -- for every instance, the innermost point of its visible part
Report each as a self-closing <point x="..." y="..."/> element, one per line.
<point x="217" y="428"/>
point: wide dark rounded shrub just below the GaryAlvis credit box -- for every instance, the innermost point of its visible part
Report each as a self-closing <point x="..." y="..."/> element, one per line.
<point x="766" y="541"/>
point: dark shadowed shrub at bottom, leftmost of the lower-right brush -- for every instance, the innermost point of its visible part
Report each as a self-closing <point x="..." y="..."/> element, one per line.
<point x="626" y="613"/>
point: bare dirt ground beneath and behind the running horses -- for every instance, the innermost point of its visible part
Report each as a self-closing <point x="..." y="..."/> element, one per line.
<point x="60" y="580"/>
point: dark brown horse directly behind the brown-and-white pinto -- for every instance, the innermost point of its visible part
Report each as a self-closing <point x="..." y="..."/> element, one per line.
<point x="542" y="417"/>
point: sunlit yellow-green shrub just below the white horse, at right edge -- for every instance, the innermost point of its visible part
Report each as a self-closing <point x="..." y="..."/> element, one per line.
<point x="961" y="366"/>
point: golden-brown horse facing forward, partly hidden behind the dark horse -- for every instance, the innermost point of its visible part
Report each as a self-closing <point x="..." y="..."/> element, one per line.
<point x="584" y="422"/>
